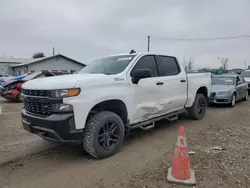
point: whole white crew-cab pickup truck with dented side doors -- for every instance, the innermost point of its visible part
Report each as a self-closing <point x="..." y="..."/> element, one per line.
<point x="111" y="96"/>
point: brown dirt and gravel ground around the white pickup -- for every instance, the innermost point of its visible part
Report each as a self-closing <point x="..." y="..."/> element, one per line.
<point x="143" y="159"/>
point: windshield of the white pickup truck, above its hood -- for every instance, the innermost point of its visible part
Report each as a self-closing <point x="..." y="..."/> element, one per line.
<point x="108" y="65"/>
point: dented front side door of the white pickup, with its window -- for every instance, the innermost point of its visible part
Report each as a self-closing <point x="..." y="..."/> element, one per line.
<point x="147" y="92"/>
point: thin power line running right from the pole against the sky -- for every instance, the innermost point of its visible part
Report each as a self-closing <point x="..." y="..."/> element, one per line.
<point x="202" y="39"/>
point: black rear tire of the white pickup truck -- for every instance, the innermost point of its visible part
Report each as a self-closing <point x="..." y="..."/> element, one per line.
<point x="193" y="112"/>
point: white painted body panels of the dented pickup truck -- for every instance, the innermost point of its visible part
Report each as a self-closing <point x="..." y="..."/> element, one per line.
<point x="143" y="101"/>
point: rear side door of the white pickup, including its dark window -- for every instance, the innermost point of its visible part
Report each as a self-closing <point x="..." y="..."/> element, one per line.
<point x="174" y="88"/>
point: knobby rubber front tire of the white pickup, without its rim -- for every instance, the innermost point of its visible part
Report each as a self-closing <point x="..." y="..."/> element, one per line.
<point x="90" y="140"/>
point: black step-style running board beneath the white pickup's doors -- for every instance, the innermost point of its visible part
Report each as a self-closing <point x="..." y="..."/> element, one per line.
<point x="149" y="124"/>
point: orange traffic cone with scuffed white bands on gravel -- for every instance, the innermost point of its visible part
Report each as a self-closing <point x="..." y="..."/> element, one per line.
<point x="180" y="171"/>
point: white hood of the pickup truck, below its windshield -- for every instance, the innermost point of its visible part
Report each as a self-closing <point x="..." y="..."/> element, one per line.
<point x="64" y="81"/>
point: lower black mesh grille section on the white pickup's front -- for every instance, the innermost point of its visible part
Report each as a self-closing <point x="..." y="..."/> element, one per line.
<point x="42" y="109"/>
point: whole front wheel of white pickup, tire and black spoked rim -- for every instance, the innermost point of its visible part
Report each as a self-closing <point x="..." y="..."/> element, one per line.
<point x="104" y="134"/>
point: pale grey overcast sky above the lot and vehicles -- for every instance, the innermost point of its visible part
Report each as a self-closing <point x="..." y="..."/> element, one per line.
<point x="85" y="29"/>
